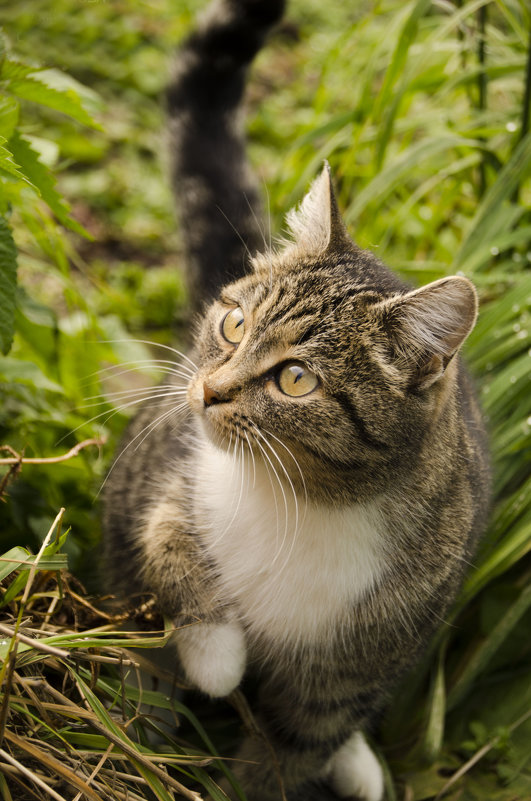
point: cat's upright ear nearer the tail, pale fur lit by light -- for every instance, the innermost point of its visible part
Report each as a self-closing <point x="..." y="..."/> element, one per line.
<point x="316" y="225"/>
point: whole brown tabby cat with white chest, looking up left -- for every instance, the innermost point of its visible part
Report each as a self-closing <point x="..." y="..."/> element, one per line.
<point x="313" y="479"/>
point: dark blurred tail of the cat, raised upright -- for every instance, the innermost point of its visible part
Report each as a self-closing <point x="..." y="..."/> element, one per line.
<point x="216" y="194"/>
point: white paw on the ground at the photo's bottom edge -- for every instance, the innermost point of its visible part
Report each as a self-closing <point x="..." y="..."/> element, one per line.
<point x="354" y="770"/>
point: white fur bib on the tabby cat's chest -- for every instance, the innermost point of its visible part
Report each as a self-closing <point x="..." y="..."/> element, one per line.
<point x="292" y="568"/>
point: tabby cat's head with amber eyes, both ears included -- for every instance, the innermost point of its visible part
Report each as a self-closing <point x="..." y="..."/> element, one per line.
<point x="324" y="361"/>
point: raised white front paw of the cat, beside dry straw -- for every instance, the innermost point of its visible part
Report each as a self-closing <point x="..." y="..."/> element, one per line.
<point x="213" y="655"/>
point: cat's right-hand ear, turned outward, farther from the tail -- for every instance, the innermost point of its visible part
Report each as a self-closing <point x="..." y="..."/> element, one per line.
<point x="427" y="327"/>
